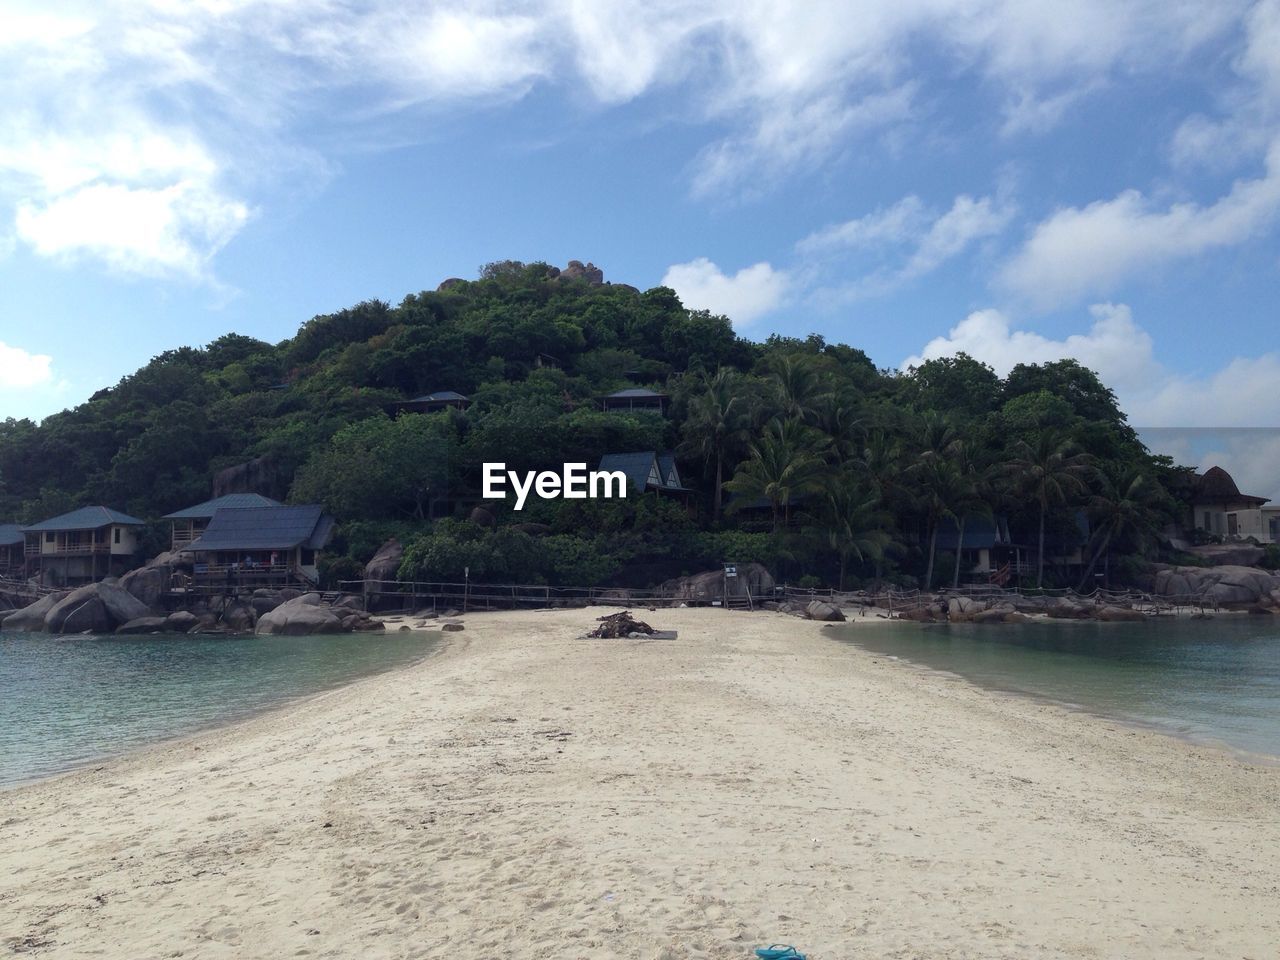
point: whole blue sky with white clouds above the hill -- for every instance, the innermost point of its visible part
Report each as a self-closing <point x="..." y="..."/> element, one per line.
<point x="1025" y="181"/>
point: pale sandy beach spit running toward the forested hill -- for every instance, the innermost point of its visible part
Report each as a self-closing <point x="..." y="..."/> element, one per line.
<point x="531" y="794"/>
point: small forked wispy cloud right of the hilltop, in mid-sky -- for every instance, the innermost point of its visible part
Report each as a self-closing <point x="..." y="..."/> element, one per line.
<point x="918" y="240"/>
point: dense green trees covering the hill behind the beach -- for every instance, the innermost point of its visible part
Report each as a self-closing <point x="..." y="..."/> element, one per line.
<point x="834" y="472"/>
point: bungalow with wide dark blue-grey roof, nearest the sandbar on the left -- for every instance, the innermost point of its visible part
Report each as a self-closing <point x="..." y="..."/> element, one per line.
<point x="271" y="545"/>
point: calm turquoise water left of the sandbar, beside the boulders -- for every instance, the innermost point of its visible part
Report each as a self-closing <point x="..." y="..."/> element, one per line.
<point x="66" y="701"/>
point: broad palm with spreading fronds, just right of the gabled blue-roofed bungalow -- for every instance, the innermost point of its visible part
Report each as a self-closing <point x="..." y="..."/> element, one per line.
<point x="785" y="464"/>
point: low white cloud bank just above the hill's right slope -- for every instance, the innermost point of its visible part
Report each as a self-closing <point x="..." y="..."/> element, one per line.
<point x="1241" y="394"/>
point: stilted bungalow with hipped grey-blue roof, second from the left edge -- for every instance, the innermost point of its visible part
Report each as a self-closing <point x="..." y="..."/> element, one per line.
<point x="81" y="547"/>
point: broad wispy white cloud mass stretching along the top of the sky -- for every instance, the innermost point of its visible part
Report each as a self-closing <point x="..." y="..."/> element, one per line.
<point x="205" y="103"/>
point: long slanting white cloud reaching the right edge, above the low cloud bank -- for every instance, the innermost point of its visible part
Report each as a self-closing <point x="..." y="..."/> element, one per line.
<point x="1078" y="253"/>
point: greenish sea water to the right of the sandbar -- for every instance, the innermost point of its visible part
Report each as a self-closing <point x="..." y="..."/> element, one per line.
<point x="1209" y="680"/>
